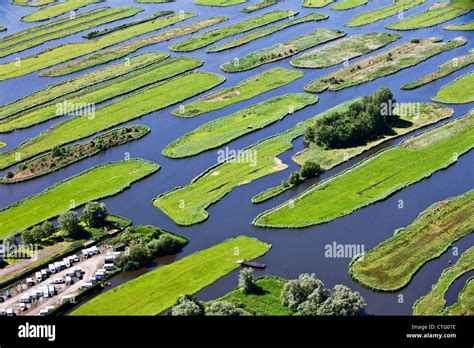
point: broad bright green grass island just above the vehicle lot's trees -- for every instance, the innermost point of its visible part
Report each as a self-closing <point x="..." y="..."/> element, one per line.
<point x="98" y="182"/>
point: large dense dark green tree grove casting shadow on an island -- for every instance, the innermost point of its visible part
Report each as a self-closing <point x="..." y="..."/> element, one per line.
<point x="366" y="119"/>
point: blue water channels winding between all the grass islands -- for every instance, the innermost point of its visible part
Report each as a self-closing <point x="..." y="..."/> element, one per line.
<point x="293" y="251"/>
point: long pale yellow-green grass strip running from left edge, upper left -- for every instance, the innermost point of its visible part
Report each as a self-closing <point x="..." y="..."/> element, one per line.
<point x="63" y="53"/>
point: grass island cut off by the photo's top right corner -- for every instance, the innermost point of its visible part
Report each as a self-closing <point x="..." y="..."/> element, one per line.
<point x="437" y="13"/>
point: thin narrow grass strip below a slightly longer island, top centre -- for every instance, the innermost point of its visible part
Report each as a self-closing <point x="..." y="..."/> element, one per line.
<point x="254" y="35"/>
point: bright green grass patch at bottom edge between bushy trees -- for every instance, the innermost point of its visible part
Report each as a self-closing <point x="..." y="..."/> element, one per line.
<point x="266" y="301"/>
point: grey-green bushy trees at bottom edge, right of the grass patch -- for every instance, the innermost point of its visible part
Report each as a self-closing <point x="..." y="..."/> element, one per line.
<point x="308" y="296"/>
